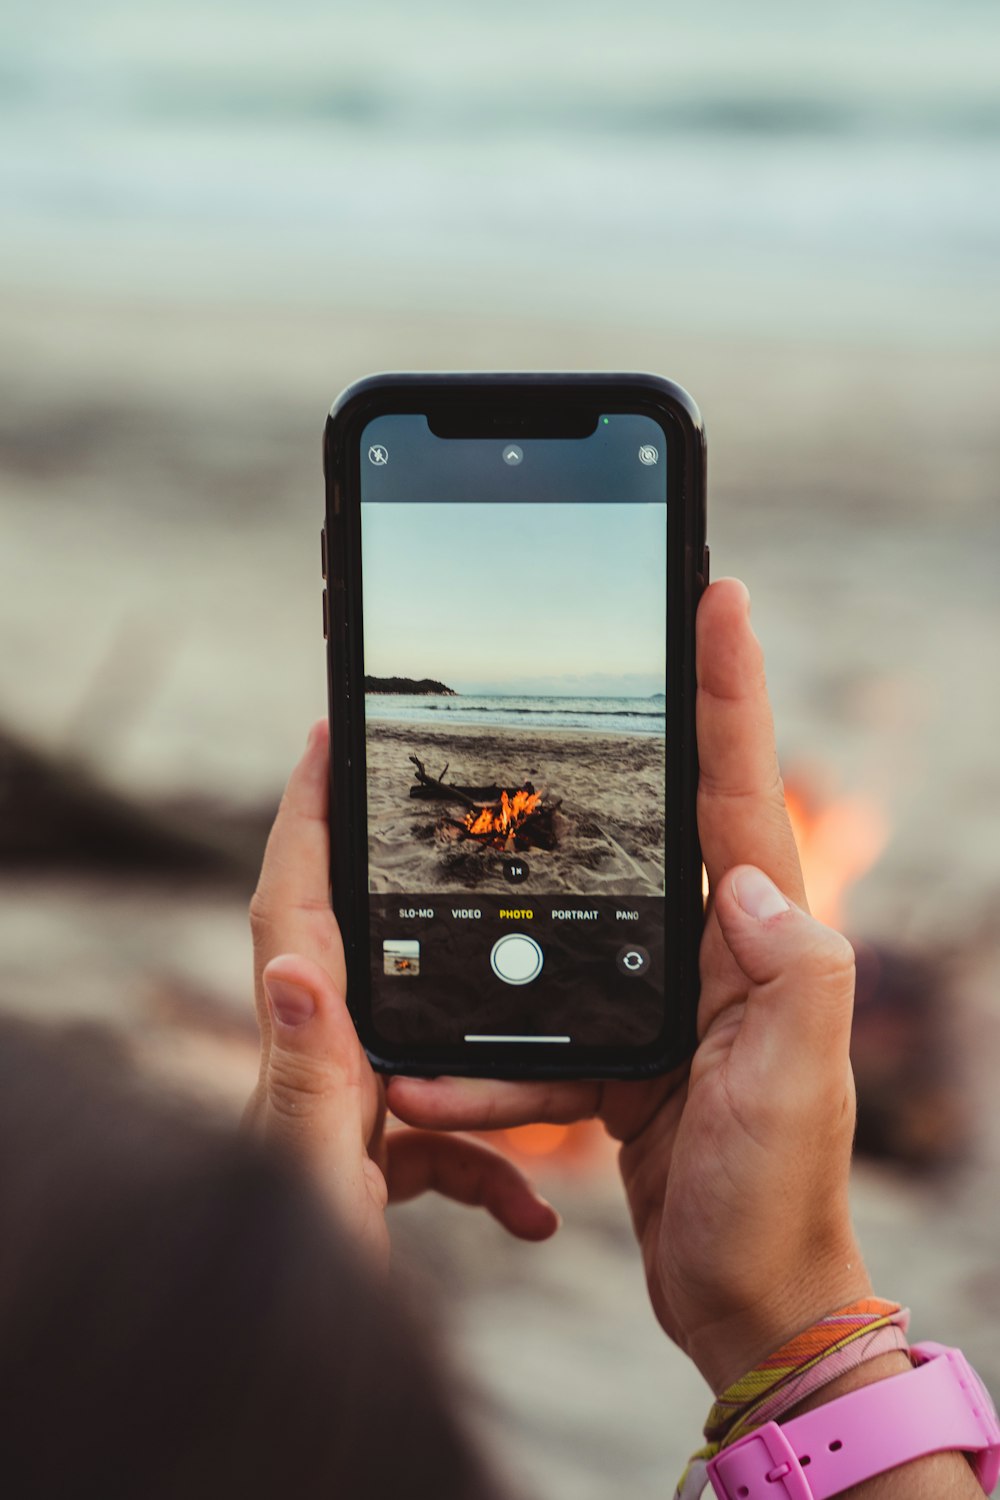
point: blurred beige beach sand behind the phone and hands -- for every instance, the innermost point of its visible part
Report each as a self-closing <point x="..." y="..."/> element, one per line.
<point x="161" y="499"/>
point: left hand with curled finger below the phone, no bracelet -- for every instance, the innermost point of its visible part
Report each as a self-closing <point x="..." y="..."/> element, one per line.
<point x="317" y="1094"/>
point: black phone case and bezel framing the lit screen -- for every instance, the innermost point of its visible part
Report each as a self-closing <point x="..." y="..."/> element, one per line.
<point x="513" y="406"/>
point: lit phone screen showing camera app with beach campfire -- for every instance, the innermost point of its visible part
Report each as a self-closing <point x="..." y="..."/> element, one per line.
<point x="515" y="647"/>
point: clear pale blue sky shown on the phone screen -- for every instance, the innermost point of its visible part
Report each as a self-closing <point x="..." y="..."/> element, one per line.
<point x="519" y="599"/>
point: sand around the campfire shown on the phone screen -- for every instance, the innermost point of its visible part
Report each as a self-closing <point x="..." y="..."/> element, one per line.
<point x="609" y="826"/>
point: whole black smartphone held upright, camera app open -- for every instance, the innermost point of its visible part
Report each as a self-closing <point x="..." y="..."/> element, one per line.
<point x="513" y="565"/>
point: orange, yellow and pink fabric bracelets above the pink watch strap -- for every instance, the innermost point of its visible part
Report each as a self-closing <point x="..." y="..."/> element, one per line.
<point x="806" y="1364"/>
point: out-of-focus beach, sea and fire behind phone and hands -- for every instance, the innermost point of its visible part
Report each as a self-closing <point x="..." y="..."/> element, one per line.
<point x="214" y="218"/>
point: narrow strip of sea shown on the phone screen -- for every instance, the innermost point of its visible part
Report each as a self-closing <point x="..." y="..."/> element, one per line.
<point x="633" y="716"/>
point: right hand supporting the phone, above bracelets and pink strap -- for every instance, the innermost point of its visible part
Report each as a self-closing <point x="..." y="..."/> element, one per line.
<point x="735" y="1168"/>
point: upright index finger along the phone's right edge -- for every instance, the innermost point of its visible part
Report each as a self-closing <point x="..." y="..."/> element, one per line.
<point x="743" y="817"/>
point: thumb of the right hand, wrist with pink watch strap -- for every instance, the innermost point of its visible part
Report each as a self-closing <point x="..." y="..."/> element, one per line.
<point x="800" y="974"/>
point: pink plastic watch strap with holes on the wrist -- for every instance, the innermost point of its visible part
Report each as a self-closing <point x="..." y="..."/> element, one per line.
<point x="939" y="1406"/>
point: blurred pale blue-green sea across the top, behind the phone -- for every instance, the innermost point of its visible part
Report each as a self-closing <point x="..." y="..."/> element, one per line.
<point x="768" y="167"/>
